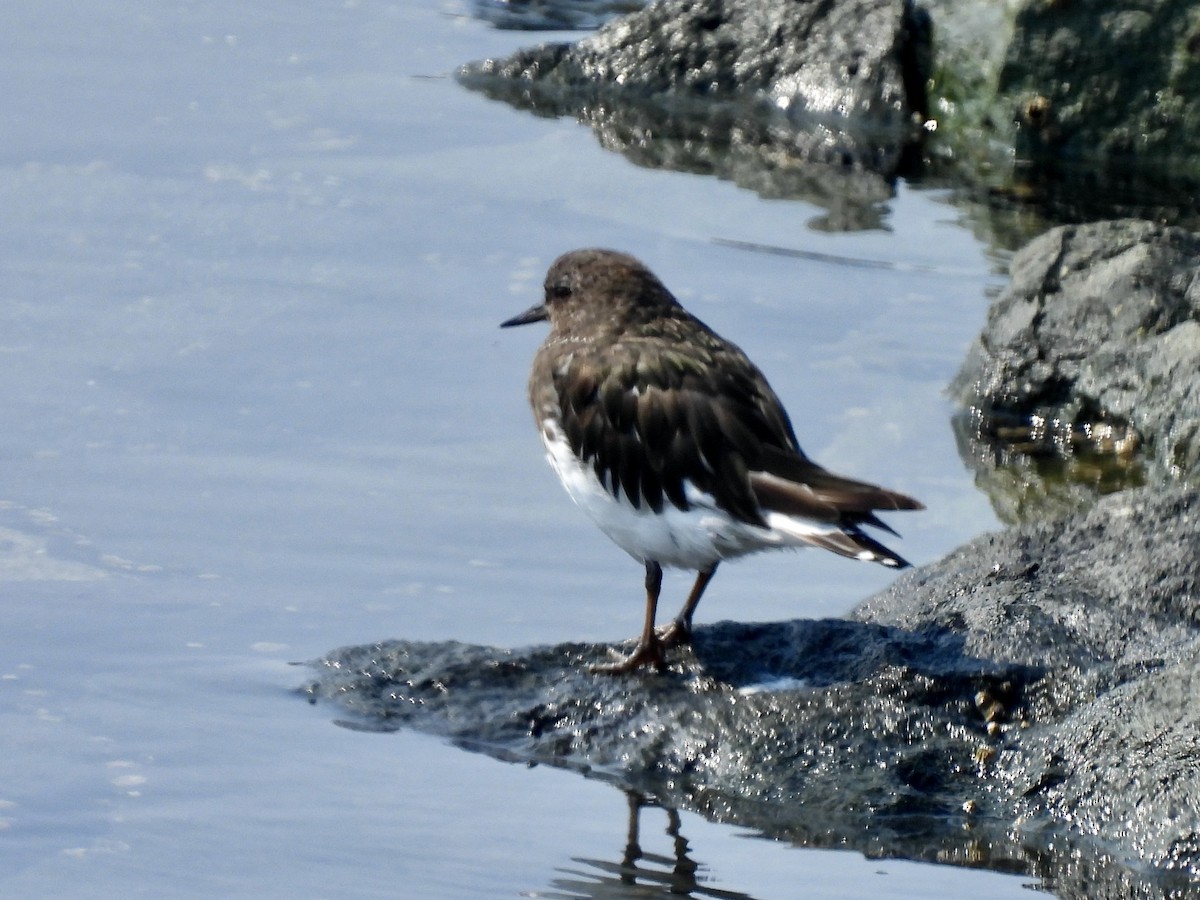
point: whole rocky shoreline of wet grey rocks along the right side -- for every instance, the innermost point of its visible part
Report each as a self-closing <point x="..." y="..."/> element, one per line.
<point x="1025" y="704"/>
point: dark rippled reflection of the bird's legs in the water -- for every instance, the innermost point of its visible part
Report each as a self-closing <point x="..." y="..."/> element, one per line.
<point x="638" y="874"/>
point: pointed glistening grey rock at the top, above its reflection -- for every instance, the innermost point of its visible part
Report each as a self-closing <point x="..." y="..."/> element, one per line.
<point x="845" y="59"/>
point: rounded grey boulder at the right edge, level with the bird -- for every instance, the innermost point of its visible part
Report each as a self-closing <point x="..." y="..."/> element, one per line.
<point x="1091" y="353"/>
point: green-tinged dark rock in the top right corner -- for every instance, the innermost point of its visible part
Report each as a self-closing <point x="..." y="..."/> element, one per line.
<point x="1096" y="101"/>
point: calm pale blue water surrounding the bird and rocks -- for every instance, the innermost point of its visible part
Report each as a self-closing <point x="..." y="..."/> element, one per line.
<point x="257" y="406"/>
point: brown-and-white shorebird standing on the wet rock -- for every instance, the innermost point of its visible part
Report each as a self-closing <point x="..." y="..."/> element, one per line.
<point x="674" y="443"/>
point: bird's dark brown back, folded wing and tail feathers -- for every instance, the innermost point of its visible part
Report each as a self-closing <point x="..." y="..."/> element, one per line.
<point x="650" y="417"/>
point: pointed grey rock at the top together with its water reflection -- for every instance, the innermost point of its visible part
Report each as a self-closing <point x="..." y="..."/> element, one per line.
<point x="784" y="98"/>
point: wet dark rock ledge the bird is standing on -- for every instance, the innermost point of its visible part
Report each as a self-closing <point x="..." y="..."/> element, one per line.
<point x="1027" y="704"/>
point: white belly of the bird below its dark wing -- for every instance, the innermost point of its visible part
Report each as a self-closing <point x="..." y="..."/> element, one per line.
<point x="689" y="539"/>
